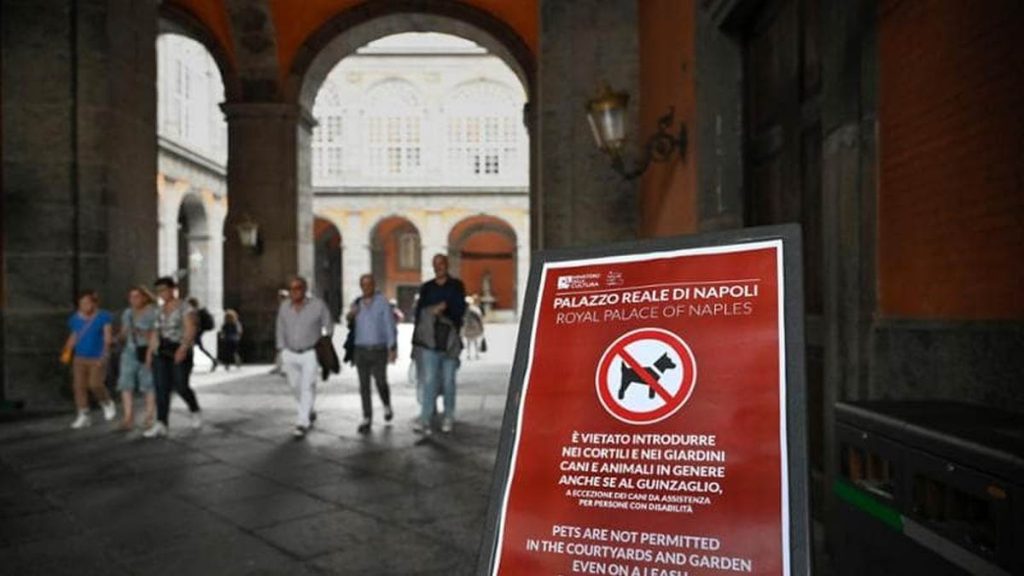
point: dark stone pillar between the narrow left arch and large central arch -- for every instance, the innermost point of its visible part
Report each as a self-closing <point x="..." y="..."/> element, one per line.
<point x="263" y="166"/>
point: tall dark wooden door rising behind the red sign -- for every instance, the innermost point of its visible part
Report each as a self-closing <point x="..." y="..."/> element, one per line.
<point x="784" y="160"/>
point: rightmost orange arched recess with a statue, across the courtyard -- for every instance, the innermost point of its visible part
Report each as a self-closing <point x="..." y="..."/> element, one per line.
<point x="483" y="253"/>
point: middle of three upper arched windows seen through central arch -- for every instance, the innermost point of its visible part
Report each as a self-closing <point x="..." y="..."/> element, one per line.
<point x="395" y="126"/>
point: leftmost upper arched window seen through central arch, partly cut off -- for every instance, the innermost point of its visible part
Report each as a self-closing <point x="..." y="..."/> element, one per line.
<point x="330" y="160"/>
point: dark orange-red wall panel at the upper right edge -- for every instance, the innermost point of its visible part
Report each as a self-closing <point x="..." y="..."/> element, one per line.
<point x="952" y="159"/>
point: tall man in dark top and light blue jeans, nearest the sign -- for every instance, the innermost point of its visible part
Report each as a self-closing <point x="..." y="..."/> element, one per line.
<point x="440" y="311"/>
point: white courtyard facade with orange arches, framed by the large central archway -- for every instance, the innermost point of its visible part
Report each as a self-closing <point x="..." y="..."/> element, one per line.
<point x="420" y="149"/>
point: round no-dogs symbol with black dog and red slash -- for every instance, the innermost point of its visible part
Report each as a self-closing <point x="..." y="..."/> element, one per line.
<point x="646" y="377"/>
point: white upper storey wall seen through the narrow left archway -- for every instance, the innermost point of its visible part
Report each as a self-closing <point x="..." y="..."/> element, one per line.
<point x="189" y="94"/>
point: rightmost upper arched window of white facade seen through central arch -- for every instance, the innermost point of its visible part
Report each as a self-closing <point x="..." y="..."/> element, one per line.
<point x="485" y="134"/>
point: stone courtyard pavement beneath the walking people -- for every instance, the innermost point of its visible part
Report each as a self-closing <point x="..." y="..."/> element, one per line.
<point x="242" y="497"/>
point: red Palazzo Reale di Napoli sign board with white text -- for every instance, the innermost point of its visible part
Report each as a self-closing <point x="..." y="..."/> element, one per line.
<point x="651" y="431"/>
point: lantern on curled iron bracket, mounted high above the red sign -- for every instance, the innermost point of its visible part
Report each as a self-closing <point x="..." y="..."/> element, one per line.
<point x="607" y="115"/>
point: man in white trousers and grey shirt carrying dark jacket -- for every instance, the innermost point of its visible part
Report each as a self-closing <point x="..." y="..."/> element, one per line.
<point x="302" y="321"/>
